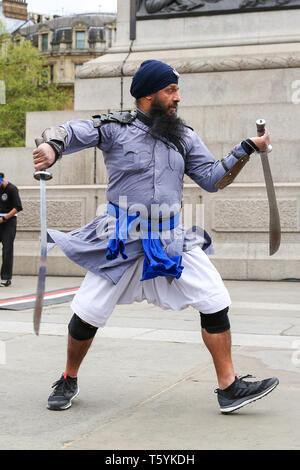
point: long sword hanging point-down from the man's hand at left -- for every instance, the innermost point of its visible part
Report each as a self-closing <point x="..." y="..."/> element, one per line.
<point x="42" y="176"/>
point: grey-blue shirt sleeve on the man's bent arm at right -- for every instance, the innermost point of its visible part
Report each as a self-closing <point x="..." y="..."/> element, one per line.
<point x="203" y="168"/>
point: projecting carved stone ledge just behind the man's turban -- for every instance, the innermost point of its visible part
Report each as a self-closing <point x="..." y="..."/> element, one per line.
<point x="198" y="60"/>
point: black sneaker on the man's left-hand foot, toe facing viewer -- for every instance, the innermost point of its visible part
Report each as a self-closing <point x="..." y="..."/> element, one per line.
<point x="65" y="390"/>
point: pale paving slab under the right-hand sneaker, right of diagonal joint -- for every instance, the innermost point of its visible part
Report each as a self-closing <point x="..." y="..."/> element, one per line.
<point x="186" y="417"/>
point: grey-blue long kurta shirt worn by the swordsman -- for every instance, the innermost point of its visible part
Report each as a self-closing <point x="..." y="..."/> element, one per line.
<point x="145" y="170"/>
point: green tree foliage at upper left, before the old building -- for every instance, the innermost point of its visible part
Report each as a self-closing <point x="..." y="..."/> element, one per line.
<point x="27" y="89"/>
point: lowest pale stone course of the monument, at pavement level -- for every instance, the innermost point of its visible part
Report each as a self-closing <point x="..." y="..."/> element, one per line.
<point x="238" y="262"/>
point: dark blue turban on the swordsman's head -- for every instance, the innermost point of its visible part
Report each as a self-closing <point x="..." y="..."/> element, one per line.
<point x="151" y="77"/>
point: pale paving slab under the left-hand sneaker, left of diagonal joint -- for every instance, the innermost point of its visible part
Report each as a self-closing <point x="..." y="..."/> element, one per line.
<point x="117" y="375"/>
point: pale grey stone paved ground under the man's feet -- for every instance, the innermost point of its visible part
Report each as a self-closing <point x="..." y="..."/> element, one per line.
<point x="146" y="383"/>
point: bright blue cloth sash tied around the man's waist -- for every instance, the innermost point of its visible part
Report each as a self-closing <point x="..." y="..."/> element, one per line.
<point x="157" y="262"/>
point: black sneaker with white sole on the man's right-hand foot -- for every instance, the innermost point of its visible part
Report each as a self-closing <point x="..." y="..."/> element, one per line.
<point x="241" y="393"/>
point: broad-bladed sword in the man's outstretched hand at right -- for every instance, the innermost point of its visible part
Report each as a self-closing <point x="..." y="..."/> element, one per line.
<point x="274" y="218"/>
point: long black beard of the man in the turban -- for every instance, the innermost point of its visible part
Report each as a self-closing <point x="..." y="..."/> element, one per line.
<point x="164" y="124"/>
